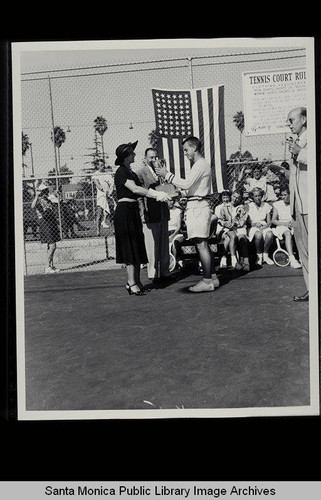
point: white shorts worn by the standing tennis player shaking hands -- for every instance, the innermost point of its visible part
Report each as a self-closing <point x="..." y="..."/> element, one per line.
<point x="198" y="220"/>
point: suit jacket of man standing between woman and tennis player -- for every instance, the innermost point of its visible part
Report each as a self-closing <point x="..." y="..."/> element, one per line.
<point x="155" y="211"/>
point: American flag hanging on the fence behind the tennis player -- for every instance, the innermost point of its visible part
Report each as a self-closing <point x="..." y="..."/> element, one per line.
<point x="197" y="112"/>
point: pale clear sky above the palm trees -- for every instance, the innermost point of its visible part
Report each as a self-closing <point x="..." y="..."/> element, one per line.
<point x="124" y="98"/>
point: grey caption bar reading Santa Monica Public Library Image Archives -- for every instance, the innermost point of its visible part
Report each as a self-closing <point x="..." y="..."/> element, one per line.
<point x="162" y="490"/>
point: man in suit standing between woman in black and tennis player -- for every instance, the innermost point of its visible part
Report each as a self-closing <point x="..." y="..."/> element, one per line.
<point x="155" y="224"/>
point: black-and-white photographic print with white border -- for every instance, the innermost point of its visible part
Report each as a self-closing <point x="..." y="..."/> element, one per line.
<point x="165" y="220"/>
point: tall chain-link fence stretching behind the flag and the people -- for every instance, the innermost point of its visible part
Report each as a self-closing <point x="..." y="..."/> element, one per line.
<point x="73" y="118"/>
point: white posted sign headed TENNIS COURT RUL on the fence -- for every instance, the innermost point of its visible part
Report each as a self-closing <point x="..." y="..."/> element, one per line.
<point x="269" y="96"/>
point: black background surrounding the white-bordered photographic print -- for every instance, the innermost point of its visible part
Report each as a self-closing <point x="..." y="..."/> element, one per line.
<point x="247" y="449"/>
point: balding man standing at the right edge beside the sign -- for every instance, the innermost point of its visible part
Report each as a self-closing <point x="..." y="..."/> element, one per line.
<point x="297" y="121"/>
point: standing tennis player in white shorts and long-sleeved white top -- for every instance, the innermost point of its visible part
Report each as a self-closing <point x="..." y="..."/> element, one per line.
<point x="198" y="212"/>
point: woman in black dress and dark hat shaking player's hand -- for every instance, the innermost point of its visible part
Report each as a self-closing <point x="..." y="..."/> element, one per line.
<point x="129" y="237"/>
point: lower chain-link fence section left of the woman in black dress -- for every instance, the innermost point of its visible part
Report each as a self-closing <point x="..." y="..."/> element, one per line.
<point x="72" y="214"/>
